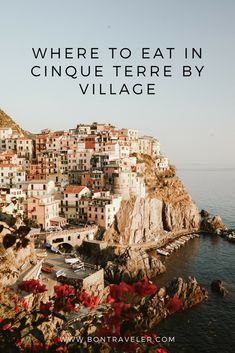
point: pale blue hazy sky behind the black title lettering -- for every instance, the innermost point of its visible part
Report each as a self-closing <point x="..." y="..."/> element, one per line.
<point x="192" y="117"/>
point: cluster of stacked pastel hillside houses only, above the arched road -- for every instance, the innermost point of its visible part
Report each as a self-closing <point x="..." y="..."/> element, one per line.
<point x="79" y="176"/>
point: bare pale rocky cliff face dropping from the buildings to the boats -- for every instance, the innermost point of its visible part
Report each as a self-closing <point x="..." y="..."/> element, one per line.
<point x="167" y="207"/>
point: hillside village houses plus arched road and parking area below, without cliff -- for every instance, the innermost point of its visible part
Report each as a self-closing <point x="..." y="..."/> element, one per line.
<point x="68" y="187"/>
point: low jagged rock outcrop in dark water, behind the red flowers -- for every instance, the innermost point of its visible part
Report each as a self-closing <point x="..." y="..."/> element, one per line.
<point x="179" y="295"/>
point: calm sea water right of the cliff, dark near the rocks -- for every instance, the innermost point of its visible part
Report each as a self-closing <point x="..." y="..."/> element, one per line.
<point x="210" y="326"/>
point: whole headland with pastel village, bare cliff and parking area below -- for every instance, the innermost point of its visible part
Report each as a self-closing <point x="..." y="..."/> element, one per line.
<point x="82" y="192"/>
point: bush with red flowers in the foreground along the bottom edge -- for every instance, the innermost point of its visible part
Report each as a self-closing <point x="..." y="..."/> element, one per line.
<point x="30" y="321"/>
